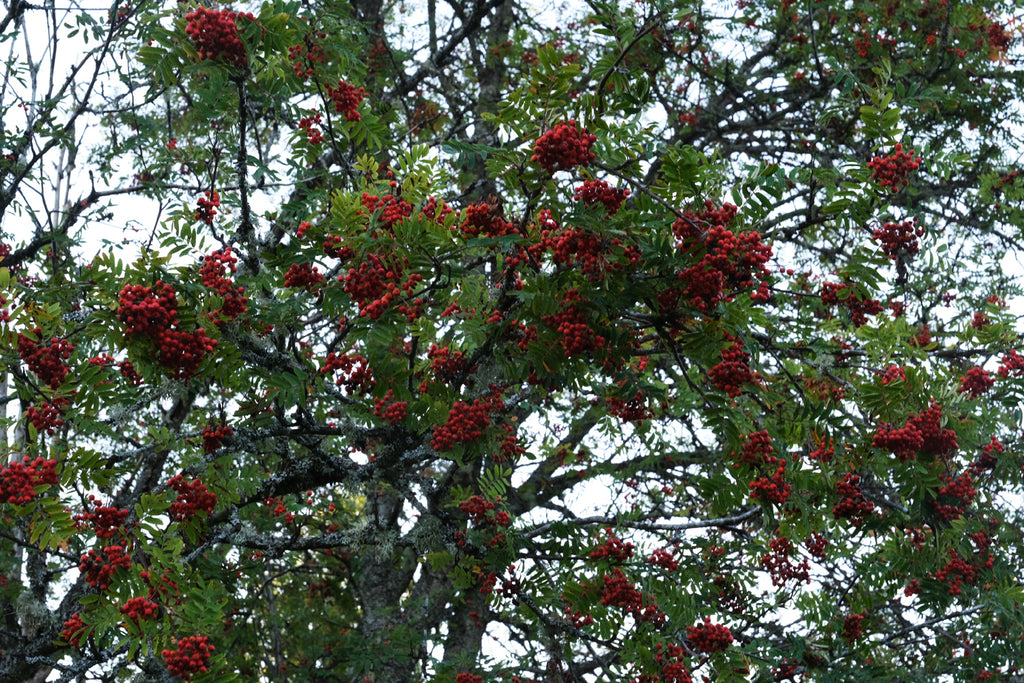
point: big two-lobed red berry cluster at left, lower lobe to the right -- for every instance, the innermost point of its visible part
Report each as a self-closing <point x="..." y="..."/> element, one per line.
<point x="153" y="313"/>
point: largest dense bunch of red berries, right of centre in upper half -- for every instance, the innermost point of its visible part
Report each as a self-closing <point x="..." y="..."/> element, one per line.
<point x="726" y="263"/>
